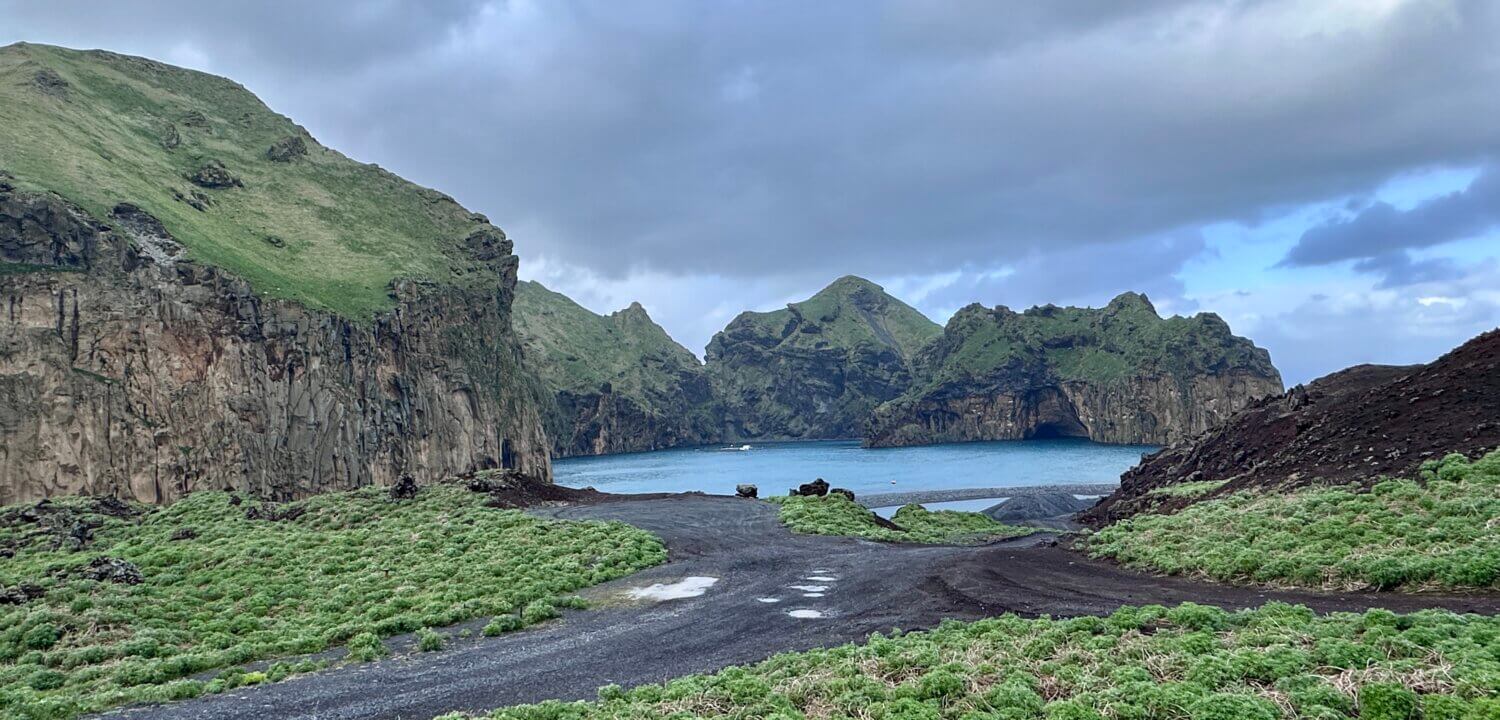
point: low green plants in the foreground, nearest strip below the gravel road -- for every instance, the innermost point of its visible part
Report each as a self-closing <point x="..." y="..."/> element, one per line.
<point x="1189" y="662"/>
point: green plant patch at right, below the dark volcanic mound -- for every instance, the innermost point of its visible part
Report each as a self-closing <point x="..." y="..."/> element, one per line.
<point x="1438" y="533"/>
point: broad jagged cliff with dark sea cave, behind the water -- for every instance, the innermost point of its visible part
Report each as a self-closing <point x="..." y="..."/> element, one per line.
<point x="1118" y="374"/>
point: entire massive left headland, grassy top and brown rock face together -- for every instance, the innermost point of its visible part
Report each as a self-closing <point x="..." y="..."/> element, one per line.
<point x="200" y="296"/>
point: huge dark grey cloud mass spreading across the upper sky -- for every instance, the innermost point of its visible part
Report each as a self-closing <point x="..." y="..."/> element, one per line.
<point x="742" y="139"/>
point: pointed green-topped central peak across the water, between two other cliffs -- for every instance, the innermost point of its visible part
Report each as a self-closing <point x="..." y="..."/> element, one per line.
<point x="817" y="368"/>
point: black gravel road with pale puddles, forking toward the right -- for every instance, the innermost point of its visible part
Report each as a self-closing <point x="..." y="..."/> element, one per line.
<point x="866" y="587"/>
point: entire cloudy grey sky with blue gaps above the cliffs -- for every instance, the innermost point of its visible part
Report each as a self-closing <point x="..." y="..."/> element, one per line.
<point x="1324" y="175"/>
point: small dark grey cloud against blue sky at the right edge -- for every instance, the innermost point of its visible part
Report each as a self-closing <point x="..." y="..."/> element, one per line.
<point x="1381" y="233"/>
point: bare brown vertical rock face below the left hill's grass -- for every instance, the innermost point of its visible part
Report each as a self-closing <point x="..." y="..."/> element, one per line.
<point x="133" y="373"/>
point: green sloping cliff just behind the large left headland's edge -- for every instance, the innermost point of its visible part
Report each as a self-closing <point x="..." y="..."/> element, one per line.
<point x="619" y="383"/>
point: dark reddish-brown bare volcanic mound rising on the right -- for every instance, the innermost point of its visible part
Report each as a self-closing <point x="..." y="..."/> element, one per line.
<point x="1355" y="425"/>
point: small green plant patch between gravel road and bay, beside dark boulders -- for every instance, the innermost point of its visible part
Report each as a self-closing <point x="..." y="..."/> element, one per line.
<point x="836" y="515"/>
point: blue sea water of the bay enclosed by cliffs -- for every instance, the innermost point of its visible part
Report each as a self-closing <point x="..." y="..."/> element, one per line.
<point x="776" y="467"/>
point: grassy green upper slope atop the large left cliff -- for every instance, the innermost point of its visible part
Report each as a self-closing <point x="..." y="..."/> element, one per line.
<point x="322" y="230"/>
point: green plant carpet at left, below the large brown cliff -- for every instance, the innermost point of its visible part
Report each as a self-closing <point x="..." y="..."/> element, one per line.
<point x="218" y="589"/>
